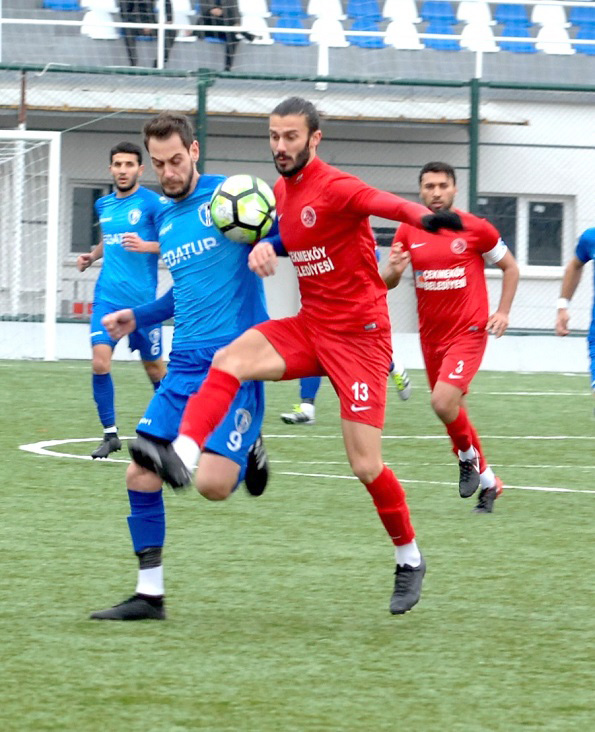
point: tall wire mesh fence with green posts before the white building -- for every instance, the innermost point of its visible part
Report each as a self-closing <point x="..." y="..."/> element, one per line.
<point x="522" y="152"/>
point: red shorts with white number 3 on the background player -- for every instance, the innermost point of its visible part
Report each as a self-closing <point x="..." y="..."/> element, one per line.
<point x="457" y="361"/>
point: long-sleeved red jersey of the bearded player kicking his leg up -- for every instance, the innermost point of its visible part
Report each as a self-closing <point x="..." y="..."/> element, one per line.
<point x="323" y="221"/>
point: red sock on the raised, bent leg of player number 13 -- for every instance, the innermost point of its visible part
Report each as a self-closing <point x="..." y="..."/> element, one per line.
<point x="207" y="408"/>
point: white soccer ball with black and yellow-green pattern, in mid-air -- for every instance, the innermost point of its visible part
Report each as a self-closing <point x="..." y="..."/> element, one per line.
<point x="243" y="208"/>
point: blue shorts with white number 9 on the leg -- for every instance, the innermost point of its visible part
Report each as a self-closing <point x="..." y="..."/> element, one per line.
<point x="185" y="373"/>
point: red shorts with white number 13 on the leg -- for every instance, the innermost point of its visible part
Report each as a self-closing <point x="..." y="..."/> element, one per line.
<point x="356" y="363"/>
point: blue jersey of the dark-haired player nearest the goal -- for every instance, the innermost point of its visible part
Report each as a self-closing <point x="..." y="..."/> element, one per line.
<point x="127" y="278"/>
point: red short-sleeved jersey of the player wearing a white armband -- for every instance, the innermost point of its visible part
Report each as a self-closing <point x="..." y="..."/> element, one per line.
<point x="449" y="277"/>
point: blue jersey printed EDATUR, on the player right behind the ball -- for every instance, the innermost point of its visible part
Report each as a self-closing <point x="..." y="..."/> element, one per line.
<point x="216" y="296"/>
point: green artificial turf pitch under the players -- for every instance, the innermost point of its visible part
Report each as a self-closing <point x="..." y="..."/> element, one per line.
<point x="278" y="606"/>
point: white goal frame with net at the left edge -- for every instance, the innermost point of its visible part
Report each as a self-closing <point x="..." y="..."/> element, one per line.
<point x="29" y="241"/>
